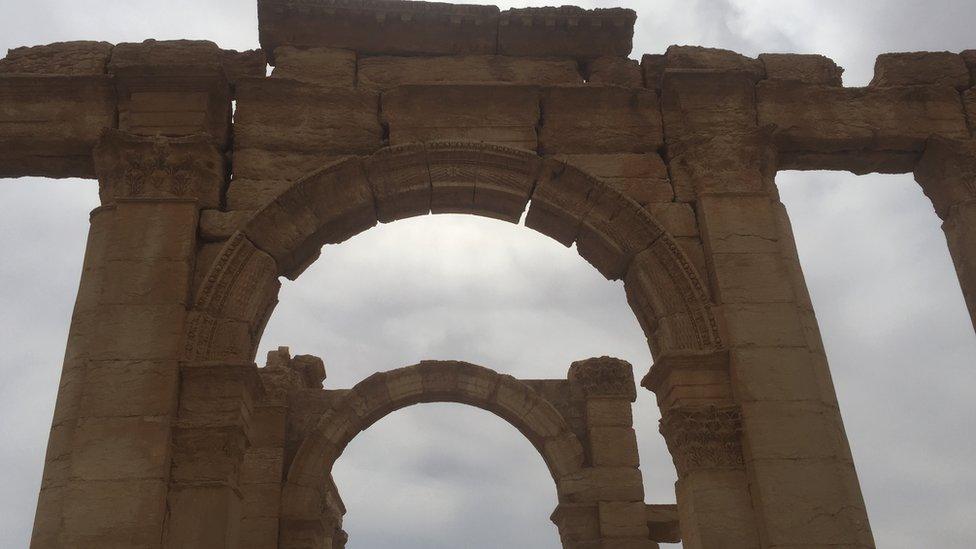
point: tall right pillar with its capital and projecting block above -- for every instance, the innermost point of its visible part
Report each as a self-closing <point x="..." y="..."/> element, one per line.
<point x="800" y="472"/>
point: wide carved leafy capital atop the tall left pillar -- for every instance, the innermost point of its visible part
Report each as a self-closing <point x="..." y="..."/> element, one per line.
<point x="131" y="166"/>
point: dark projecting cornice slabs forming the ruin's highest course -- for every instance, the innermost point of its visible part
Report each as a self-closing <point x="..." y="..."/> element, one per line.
<point x="397" y="27"/>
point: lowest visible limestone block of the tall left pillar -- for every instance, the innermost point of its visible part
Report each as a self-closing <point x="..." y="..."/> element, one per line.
<point x="100" y="514"/>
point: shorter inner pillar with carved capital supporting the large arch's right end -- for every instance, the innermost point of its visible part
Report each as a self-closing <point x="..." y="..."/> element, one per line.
<point x="703" y="428"/>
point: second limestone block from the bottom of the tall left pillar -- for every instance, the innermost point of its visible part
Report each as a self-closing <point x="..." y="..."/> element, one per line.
<point x="121" y="448"/>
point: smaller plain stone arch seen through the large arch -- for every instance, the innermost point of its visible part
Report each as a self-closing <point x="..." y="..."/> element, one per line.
<point x="307" y="482"/>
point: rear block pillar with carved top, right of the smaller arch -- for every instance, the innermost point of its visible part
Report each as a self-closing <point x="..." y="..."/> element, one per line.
<point x="612" y="516"/>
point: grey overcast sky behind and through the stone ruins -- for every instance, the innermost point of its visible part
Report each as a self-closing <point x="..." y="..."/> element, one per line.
<point x="897" y="333"/>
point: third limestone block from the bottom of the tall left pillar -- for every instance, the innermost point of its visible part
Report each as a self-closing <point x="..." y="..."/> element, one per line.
<point x="129" y="388"/>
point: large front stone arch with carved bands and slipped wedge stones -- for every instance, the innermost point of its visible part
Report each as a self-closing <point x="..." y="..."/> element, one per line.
<point x="612" y="232"/>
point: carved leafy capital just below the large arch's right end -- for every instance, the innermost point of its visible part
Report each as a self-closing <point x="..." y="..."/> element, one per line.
<point x="703" y="437"/>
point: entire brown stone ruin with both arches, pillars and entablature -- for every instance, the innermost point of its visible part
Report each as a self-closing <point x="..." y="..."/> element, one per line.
<point x="216" y="180"/>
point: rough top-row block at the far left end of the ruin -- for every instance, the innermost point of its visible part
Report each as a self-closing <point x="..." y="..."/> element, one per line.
<point x="82" y="58"/>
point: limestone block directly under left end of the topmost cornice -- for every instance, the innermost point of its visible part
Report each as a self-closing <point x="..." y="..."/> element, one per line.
<point x="326" y="66"/>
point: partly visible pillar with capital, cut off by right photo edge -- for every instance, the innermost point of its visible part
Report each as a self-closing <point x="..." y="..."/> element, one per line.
<point x="947" y="174"/>
